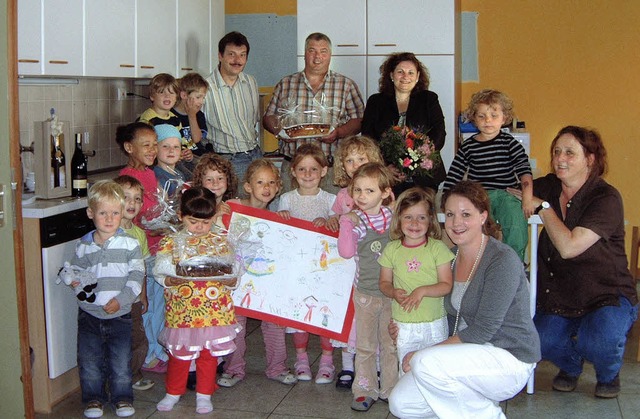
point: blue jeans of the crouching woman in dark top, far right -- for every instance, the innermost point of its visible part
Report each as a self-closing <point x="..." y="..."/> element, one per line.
<point x="598" y="337"/>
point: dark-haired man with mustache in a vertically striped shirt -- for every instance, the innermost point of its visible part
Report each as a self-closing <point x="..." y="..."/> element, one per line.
<point x="232" y="105"/>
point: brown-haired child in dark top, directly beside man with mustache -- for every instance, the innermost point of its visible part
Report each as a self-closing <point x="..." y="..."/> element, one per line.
<point x="192" y="91"/>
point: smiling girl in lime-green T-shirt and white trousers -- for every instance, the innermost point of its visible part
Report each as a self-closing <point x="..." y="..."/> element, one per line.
<point x="416" y="273"/>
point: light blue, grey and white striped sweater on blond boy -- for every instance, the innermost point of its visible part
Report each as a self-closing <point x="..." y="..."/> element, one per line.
<point x="119" y="267"/>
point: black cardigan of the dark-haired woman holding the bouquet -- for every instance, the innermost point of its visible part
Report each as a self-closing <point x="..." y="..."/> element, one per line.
<point x="424" y="112"/>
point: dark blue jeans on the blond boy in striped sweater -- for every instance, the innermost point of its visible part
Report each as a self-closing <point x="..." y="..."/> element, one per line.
<point x="104" y="357"/>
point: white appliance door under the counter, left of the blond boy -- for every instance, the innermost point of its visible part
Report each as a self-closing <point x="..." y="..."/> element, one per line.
<point x="61" y="310"/>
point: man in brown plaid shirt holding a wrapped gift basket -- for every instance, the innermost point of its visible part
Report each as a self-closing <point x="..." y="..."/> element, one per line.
<point x="314" y="85"/>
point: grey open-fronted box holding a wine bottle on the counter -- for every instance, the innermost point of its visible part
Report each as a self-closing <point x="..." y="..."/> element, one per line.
<point x="42" y="160"/>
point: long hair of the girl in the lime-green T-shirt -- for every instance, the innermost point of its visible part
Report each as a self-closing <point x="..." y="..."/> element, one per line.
<point x="407" y="199"/>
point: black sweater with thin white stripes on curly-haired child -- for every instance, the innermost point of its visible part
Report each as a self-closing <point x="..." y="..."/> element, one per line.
<point x="497" y="164"/>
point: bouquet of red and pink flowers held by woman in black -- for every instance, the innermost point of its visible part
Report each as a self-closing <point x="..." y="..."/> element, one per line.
<point x="410" y="151"/>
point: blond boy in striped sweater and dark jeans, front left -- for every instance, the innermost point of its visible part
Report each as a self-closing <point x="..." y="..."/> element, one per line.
<point x="104" y="327"/>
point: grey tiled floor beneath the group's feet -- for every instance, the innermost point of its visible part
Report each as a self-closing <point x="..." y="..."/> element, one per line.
<point x="258" y="397"/>
